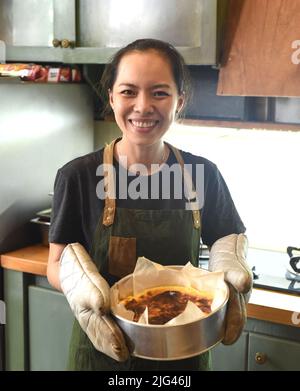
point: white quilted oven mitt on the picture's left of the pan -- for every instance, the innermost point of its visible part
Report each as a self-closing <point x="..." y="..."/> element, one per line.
<point x="88" y="294"/>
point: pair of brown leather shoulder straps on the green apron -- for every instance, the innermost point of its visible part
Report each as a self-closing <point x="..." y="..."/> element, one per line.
<point x="110" y="199"/>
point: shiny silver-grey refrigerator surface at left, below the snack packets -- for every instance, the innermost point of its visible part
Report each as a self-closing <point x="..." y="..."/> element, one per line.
<point x="42" y="127"/>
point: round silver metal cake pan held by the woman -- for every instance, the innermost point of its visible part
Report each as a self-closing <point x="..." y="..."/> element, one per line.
<point x="160" y="342"/>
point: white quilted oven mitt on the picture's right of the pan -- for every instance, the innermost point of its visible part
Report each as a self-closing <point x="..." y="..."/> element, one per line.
<point x="228" y="255"/>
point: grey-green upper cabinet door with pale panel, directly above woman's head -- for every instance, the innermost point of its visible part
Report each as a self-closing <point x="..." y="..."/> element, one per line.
<point x="189" y="25"/>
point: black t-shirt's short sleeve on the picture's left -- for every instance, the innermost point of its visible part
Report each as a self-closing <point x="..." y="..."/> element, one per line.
<point x="65" y="218"/>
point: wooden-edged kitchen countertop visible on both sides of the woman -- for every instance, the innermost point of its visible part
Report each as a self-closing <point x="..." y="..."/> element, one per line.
<point x="264" y="304"/>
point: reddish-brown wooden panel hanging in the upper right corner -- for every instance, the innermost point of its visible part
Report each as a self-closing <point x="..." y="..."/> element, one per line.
<point x="261" y="49"/>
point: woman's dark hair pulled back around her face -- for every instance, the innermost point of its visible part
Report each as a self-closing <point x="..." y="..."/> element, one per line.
<point x="178" y="66"/>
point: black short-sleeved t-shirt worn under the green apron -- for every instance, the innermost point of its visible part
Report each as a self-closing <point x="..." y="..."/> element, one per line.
<point x="78" y="199"/>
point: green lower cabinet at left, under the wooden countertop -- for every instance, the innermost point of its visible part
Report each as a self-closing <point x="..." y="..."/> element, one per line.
<point x="38" y="325"/>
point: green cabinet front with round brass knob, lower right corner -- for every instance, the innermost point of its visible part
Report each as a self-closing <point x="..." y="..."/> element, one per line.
<point x="272" y="354"/>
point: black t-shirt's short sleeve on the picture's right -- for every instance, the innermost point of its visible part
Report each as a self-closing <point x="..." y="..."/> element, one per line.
<point x="219" y="214"/>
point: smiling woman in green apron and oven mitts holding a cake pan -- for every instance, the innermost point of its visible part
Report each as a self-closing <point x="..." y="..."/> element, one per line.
<point x="153" y="217"/>
